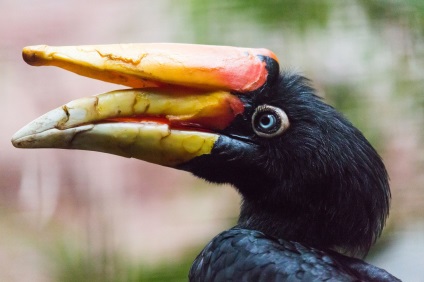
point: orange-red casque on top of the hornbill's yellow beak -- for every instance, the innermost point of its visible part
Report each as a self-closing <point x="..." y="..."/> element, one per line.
<point x="146" y="65"/>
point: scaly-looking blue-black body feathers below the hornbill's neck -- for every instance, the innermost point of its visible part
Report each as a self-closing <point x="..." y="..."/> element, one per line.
<point x="249" y="255"/>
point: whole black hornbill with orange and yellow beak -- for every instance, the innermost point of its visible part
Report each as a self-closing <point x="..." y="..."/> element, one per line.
<point x="315" y="194"/>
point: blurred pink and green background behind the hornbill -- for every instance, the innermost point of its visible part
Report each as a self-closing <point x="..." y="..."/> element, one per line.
<point x="84" y="216"/>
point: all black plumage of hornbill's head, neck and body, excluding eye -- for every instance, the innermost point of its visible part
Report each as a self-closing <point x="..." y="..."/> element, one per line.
<point x="319" y="186"/>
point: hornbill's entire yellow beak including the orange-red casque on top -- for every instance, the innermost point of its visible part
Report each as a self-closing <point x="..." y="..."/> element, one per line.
<point x="181" y="97"/>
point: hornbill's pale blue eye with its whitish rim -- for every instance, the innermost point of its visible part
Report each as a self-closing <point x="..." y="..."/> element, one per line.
<point x="269" y="121"/>
